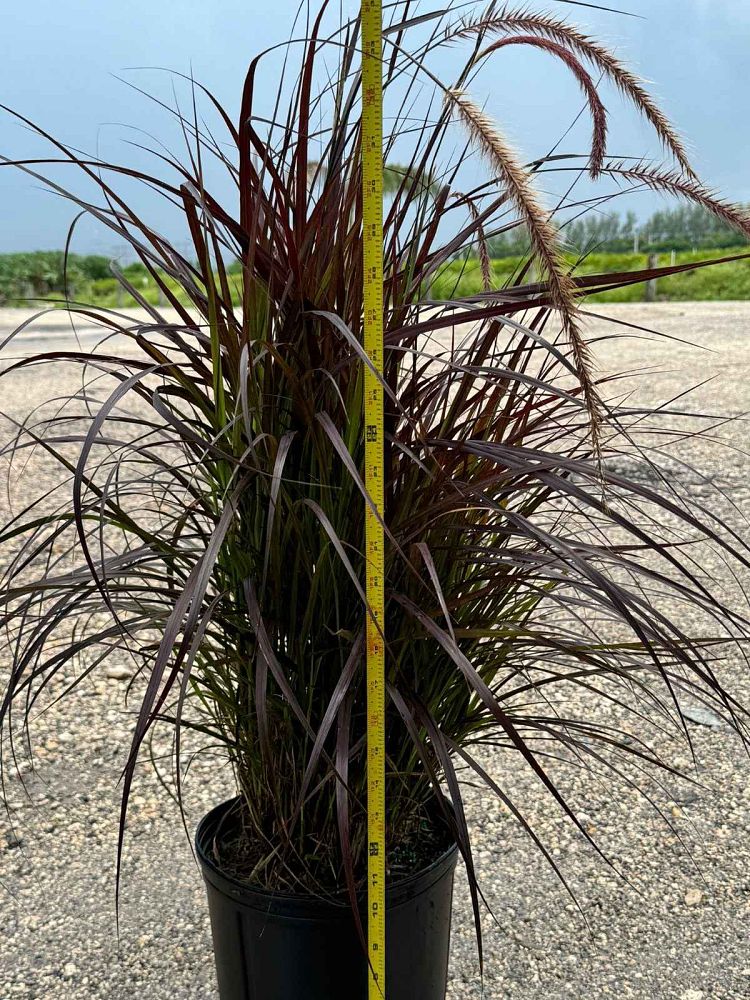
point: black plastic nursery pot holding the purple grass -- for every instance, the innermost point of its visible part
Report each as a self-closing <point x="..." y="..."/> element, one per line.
<point x="277" y="946"/>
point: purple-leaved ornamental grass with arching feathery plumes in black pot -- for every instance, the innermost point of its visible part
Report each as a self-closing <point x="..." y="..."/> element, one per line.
<point x="211" y="522"/>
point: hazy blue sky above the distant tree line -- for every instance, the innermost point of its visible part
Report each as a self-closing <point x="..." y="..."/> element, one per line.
<point x="63" y="63"/>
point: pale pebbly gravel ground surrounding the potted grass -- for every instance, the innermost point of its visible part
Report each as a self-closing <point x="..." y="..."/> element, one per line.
<point x="677" y="929"/>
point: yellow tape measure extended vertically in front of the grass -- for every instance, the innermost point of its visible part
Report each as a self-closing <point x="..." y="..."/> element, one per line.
<point x="372" y="221"/>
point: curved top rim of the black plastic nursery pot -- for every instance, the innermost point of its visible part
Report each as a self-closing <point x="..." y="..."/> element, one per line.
<point x="223" y="881"/>
